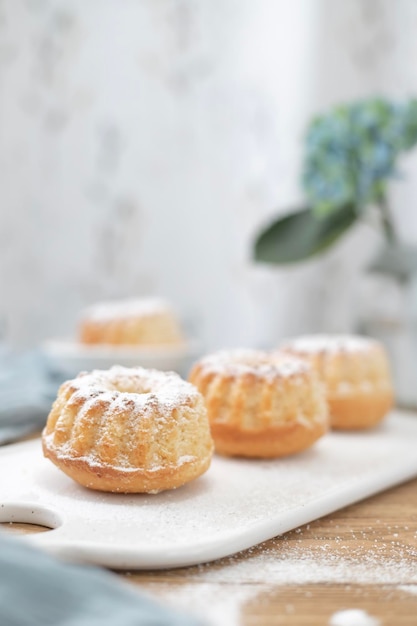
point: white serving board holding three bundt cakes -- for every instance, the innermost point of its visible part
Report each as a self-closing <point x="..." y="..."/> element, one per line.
<point x="235" y="505"/>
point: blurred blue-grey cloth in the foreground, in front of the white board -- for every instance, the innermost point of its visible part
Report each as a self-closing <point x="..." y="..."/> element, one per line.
<point x="39" y="590"/>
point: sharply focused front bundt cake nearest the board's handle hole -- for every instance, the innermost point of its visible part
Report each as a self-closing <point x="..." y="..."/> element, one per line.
<point x="129" y="430"/>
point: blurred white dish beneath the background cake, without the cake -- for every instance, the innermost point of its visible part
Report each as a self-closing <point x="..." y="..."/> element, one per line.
<point x="68" y="358"/>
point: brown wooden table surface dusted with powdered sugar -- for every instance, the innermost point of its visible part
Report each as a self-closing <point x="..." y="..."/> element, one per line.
<point x="363" y="557"/>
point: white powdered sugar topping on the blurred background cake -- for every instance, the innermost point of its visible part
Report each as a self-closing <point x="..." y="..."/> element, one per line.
<point x="122" y="309"/>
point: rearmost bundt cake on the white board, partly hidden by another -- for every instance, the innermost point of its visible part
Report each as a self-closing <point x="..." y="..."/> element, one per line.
<point x="356" y="374"/>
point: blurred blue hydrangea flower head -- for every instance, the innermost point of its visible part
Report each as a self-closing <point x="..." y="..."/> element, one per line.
<point x="351" y="152"/>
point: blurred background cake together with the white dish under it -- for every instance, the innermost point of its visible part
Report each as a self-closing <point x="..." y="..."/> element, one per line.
<point x="139" y="331"/>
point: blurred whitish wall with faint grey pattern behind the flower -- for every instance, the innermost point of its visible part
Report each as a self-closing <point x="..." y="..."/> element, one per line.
<point x="142" y="143"/>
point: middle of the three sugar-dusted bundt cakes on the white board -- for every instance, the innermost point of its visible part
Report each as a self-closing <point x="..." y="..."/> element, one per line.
<point x="261" y="405"/>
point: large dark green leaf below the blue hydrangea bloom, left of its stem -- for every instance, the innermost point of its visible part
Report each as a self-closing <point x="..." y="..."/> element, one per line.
<point x="301" y="235"/>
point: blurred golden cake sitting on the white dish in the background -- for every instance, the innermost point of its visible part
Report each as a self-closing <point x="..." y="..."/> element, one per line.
<point x="140" y="321"/>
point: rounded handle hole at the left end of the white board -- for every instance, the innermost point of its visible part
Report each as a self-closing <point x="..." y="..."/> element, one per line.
<point x="27" y="518"/>
